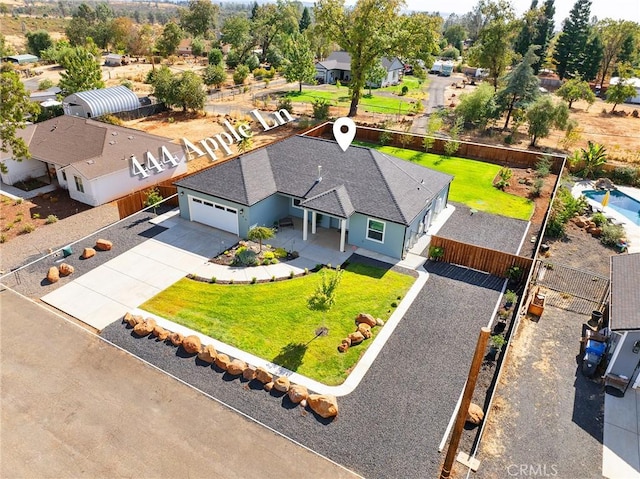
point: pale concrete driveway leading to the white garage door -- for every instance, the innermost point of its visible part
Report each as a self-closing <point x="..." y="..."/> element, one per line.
<point x="104" y="294"/>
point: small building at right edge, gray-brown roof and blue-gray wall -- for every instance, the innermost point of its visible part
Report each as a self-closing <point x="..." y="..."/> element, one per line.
<point x="624" y="322"/>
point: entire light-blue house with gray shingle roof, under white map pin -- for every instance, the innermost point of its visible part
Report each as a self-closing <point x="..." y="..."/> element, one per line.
<point x="381" y="202"/>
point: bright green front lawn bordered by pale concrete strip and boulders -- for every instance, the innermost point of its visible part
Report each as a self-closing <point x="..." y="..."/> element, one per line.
<point x="272" y="321"/>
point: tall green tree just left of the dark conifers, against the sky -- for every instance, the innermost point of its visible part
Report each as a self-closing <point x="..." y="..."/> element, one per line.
<point x="493" y="49"/>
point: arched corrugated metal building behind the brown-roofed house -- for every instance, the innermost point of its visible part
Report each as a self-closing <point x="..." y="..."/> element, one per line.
<point x="95" y="103"/>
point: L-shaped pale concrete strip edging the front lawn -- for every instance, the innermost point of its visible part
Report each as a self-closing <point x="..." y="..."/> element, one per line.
<point x="356" y="375"/>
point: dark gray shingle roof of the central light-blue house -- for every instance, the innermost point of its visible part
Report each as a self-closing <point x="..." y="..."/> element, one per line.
<point x="360" y="179"/>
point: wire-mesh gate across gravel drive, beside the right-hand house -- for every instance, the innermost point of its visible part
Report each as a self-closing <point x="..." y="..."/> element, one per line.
<point x="569" y="288"/>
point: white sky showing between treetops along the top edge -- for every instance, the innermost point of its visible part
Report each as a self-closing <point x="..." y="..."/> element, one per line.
<point x="616" y="9"/>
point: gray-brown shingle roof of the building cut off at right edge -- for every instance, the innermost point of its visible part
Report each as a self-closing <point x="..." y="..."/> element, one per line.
<point x="624" y="309"/>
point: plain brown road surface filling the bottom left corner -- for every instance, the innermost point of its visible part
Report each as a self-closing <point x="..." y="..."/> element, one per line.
<point x="73" y="405"/>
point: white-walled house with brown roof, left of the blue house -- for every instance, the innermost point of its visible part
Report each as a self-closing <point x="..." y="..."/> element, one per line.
<point x="91" y="159"/>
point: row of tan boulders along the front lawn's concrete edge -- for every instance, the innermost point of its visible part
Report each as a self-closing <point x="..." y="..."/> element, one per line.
<point x="324" y="405"/>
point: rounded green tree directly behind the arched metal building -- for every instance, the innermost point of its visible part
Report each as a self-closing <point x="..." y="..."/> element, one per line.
<point x="82" y="72"/>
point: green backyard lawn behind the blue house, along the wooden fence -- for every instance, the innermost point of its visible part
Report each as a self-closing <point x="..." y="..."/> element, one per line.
<point x="473" y="183"/>
